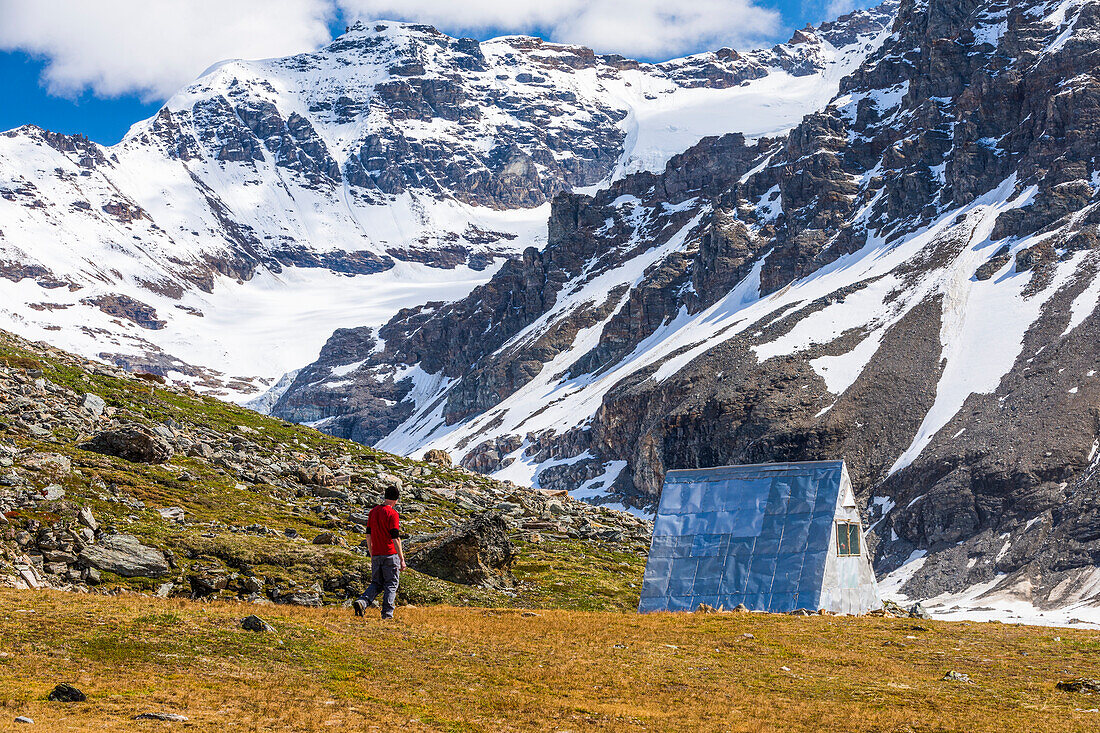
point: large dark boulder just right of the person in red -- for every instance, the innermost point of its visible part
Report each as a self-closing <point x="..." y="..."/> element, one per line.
<point x="478" y="553"/>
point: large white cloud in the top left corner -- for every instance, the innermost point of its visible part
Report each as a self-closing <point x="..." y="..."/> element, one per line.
<point x="152" y="48"/>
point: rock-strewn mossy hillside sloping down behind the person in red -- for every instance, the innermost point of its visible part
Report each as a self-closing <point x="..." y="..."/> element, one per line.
<point x="234" y="475"/>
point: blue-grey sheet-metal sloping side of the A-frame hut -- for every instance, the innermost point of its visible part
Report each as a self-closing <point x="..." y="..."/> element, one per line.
<point x="757" y="535"/>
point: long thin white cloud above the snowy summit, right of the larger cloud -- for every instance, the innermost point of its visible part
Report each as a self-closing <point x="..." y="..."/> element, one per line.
<point x="647" y="29"/>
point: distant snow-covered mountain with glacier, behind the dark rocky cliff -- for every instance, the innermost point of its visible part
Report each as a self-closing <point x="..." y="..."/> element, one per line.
<point x="271" y="202"/>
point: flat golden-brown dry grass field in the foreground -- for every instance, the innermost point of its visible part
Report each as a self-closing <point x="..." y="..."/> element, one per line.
<point x="470" y="670"/>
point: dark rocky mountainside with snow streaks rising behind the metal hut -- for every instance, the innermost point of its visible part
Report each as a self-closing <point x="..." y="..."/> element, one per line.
<point x="907" y="280"/>
